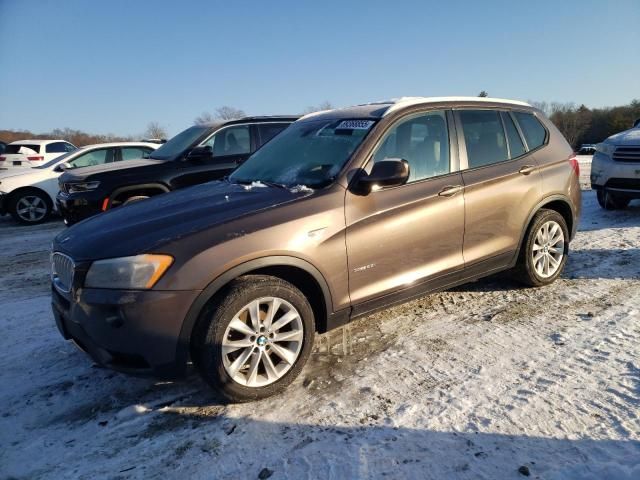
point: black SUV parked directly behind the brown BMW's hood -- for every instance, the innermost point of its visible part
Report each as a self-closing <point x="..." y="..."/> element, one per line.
<point x="197" y="155"/>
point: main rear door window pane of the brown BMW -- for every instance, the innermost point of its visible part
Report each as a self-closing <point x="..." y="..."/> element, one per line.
<point x="484" y="137"/>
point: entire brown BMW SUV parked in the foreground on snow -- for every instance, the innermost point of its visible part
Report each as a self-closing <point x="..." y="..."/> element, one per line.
<point x="346" y="212"/>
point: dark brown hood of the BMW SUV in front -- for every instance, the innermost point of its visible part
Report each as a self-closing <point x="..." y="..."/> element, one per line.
<point x="149" y="225"/>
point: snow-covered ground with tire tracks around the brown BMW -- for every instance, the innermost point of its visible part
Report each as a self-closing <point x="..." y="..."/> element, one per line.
<point x="475" y="383"/>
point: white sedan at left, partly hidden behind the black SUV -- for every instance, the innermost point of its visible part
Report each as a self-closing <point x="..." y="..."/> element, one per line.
<point x="28" y="194"/>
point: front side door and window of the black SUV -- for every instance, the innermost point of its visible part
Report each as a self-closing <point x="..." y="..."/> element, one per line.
<point x="231" y="145"/>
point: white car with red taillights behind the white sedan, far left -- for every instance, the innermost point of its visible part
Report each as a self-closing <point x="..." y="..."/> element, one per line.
<point x="32" y="153"/>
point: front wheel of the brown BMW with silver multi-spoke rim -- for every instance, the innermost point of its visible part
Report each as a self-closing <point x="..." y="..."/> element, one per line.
<point x="254" y="338"/>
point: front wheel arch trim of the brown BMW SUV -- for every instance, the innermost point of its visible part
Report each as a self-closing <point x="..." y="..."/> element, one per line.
<point x="300" y="273"/>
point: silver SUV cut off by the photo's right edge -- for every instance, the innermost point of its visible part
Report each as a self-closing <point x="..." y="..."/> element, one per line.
<point x="615" y="169"/>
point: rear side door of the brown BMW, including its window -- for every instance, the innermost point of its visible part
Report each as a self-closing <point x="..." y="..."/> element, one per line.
<point x="502" y="185"/>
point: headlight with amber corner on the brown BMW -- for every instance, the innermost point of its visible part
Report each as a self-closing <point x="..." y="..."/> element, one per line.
<point x="139" y="272"/>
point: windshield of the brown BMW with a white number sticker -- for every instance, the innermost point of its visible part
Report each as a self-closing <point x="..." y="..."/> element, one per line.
<point x="309" y="153"/>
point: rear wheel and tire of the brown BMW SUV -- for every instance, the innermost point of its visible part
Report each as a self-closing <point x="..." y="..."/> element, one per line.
<point x="544" y="252"/>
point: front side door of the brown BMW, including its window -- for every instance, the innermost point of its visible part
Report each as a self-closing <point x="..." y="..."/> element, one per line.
<point x="402" y="236"/>
